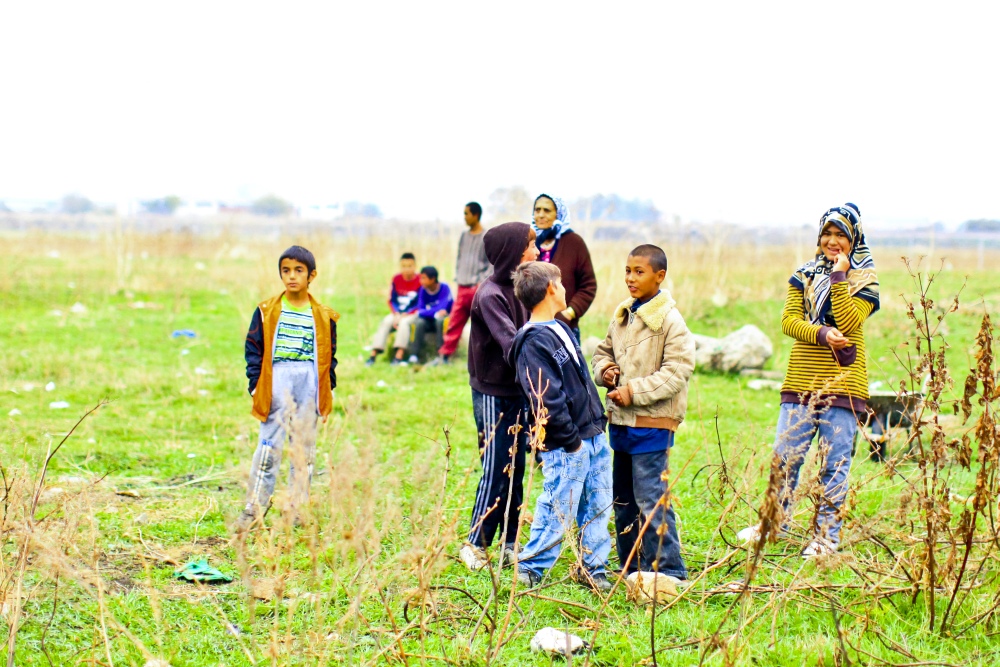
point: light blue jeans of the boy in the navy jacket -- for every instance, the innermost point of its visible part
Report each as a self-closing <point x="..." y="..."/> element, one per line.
<point x="577" y="486"/>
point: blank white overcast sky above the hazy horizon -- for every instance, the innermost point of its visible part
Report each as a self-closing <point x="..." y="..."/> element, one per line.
<point x="750" y="112"/>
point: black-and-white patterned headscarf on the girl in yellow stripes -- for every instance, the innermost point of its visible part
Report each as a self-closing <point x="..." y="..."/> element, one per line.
<point x="813" y="277"/>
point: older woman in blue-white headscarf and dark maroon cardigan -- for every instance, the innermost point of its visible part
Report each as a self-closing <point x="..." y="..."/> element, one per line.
<point x="560" y="245"/>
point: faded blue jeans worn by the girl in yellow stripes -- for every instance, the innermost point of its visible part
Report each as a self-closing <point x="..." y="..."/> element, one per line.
<point x="797" y="426"/>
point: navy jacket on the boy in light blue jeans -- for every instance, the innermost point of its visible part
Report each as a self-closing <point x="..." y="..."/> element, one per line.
<point x="543" y="361"/>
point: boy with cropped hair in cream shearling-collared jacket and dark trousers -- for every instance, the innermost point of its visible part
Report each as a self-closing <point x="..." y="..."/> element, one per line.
<point x="645" y="362"/>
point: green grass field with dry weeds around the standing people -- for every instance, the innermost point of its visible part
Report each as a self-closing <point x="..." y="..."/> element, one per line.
<point x="154" y="477"/>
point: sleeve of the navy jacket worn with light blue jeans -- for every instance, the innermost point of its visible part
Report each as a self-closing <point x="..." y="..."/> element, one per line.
<point x="539" y="373"/>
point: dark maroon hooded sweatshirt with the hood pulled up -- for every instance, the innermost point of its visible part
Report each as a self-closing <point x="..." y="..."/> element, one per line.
<point x="497" y="314"/>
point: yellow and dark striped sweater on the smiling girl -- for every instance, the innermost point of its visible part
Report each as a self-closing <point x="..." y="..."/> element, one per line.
<point x="812" y="367"/>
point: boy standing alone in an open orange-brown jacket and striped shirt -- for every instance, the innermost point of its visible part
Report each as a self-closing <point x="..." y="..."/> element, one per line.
<point x="291" y="364"/>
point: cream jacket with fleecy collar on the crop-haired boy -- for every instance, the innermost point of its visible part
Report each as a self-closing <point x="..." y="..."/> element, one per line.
<point x="654" y="350"/>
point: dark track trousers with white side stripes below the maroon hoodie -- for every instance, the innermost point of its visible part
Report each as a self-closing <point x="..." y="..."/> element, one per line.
<point x="498" y="449"/>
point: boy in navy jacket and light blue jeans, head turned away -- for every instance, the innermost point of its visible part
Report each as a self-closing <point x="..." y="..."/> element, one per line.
<point x="576" y="461"/>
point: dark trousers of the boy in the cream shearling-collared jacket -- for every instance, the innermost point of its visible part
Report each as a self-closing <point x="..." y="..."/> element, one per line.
<point x="637" y="487"/>
